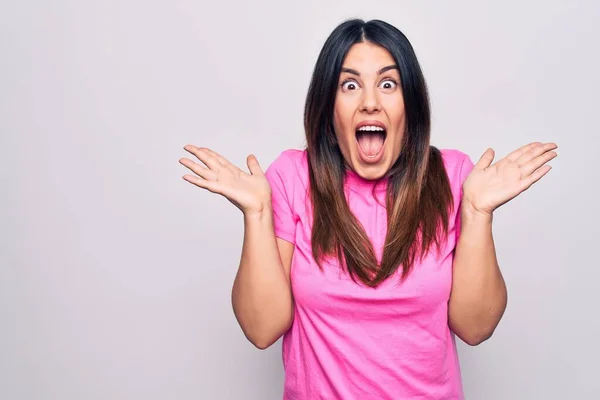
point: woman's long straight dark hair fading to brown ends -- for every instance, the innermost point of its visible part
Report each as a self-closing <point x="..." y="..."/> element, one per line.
<point x="418" y="197"/>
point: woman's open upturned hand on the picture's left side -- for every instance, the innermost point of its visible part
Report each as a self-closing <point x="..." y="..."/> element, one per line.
<point x="250" y="192"/>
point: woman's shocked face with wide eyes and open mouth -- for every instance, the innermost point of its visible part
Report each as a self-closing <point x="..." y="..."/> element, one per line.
<point x="369" y="116"/>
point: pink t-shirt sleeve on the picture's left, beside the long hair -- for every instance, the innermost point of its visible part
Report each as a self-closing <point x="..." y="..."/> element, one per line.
<point x="280" y="175"/>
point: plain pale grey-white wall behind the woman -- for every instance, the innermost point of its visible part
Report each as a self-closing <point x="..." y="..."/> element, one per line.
<point x="115" y="273"/>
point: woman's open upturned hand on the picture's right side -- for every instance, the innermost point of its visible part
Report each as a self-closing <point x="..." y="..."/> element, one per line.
<point x="489" y="186"/>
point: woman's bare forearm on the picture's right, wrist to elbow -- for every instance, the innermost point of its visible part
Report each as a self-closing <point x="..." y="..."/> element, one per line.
<point x="479" y="297"/>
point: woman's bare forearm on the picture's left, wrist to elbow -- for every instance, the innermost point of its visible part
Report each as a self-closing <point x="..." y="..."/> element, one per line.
<point x="261" y="295"/>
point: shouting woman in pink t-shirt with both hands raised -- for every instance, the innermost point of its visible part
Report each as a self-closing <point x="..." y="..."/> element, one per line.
<point x="370" y="249"/>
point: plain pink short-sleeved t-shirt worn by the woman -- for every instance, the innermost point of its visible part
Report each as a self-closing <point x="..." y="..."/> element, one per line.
<point x="349" y="341"/>
